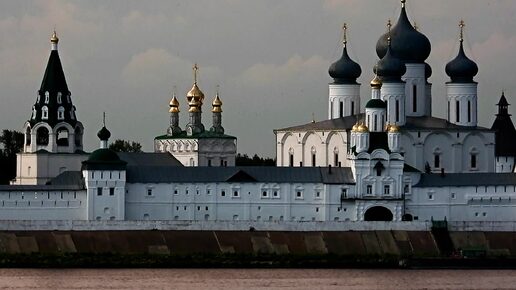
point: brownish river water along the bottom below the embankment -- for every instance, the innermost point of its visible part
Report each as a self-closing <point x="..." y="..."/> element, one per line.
<point x="255" y="279"/>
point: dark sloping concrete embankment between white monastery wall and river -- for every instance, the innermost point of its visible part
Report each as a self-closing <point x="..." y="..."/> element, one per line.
<point x="158" y="248"/>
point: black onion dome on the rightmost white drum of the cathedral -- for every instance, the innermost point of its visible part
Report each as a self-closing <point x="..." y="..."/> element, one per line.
<point x="461" y="69"/>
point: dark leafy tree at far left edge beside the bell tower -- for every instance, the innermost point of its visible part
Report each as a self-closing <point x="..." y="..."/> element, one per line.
<point x="12" y="143"/>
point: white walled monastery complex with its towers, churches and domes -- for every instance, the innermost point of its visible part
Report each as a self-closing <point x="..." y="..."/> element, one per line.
<point x="391" y="161"/>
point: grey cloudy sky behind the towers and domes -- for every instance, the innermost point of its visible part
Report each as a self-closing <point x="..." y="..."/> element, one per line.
<point x="269" y="57"/>
